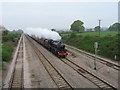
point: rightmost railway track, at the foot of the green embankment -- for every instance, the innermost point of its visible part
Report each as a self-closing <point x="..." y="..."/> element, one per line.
<point x="99" y="59"/>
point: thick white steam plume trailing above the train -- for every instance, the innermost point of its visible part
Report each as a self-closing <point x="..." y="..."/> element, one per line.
<point x="43" y="33"/>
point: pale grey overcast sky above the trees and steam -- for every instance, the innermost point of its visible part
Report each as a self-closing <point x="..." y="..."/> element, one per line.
<point x="57" y="15"/>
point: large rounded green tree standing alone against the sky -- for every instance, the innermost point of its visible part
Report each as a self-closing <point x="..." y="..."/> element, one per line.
<point x="77" y="26"/>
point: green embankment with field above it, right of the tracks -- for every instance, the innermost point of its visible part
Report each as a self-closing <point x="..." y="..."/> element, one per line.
<point x="108" y="42"/>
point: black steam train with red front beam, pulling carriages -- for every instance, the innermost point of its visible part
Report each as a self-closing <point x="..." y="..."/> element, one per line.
<point x="56" y="47"/>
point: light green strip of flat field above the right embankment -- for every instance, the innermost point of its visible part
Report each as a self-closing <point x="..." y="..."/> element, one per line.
<point x="102" y="34"/>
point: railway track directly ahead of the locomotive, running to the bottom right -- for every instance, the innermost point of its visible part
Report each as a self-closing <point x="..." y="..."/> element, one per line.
<point x="102" y="84"/>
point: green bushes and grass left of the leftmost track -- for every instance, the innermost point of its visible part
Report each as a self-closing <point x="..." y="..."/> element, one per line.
<point x="9" y="41"/>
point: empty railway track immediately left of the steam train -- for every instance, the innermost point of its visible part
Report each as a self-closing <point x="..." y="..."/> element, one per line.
<point x="54" y="74"/>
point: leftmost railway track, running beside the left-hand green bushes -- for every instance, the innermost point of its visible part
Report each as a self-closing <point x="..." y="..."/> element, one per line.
<point x="17" y="81"/>
